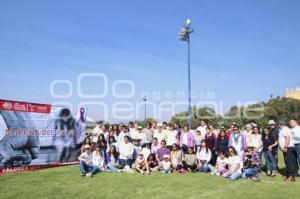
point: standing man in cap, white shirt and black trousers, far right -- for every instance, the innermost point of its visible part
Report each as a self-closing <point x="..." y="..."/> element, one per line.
<point x="286" y="145"/>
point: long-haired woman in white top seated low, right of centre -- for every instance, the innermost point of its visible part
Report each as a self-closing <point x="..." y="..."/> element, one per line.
<point x="204" y="156"/>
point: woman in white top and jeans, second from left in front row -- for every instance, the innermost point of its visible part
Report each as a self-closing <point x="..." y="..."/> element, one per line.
<point x="98" y="162"/>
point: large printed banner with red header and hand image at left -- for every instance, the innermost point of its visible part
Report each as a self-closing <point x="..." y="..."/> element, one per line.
<point x="35" y="136"/>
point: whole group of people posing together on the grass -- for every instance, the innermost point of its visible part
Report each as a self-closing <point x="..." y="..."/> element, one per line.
<point x="161" y="147"/>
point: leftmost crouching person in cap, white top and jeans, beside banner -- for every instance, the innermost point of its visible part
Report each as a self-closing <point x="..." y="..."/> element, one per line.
<point x="85" y="159"/>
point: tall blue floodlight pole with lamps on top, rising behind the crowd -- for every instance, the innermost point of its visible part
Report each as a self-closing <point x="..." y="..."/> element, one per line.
<point x="184" y="35"/>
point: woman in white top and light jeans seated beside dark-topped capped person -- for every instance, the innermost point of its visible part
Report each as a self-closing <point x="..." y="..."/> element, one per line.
<point x="234" y="165"/>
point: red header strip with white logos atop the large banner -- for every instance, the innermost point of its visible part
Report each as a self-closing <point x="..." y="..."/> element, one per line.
<point x="24" y="106"/>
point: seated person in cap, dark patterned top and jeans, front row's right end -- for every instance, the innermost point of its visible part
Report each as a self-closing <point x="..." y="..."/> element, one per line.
<point x="251" y="163"/>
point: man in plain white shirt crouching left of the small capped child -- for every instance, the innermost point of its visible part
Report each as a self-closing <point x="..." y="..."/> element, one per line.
<point x="126" y="152"/>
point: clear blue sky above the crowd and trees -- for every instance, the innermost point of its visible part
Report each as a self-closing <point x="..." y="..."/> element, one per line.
<point x="241" y="50"/>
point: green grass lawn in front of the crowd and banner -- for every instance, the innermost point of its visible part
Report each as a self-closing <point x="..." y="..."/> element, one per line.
<point x="66" y="182"/>
